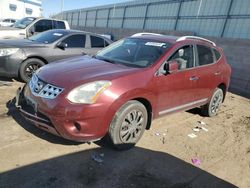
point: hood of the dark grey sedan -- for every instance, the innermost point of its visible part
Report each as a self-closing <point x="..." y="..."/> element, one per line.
<point x="19" y="43"/>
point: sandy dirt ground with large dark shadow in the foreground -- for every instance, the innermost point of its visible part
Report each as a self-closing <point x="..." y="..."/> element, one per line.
<point x="30" y="157"/>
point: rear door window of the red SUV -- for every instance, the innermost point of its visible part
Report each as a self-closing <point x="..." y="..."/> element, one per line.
<point x="205" y="55"/>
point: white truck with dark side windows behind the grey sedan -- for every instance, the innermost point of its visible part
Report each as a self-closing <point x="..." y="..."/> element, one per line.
<point x="29" y="26"/>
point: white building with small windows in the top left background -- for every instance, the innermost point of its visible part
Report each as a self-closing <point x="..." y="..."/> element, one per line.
<point x="21" y="6"/>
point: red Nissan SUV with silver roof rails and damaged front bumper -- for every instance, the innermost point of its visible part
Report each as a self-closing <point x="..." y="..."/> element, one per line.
<point x="125" y="86"/>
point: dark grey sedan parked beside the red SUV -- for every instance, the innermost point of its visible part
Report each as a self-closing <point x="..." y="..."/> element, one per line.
<point x="24" y="56"/>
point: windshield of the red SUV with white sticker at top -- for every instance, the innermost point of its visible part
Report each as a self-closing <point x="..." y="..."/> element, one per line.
<point x="133" y="52"/>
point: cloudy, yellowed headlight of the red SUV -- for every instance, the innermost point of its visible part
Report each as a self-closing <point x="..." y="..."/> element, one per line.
<point x="88" y="93"/>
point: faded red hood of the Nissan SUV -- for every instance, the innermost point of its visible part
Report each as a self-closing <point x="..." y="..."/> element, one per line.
<point x="79" y="70"/>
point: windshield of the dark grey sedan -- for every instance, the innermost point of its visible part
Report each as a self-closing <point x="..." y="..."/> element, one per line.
<point x="48" y="37"/>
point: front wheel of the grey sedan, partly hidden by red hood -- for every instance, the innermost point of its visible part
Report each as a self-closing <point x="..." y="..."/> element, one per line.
<point x="28" y="67"/>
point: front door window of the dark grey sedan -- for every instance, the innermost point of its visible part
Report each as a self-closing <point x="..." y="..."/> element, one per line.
<point x="75" y="41"/>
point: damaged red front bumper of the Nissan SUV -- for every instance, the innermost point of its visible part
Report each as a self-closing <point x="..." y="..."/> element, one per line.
<point x="59" y="117"/>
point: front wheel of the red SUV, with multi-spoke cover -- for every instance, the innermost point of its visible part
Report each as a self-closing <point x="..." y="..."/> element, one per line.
<point x="128" y="125"/>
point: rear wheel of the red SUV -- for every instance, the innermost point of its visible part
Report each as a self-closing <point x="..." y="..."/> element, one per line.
<point x="212" y="108"/>
